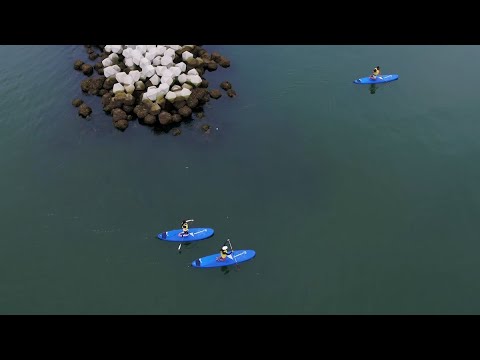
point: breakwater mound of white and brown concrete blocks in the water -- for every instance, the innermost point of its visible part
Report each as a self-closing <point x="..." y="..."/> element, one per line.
<point x="160" y="85"/>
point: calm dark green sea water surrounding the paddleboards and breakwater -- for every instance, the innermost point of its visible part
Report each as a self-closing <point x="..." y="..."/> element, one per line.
<point x="355" y="202"/>
